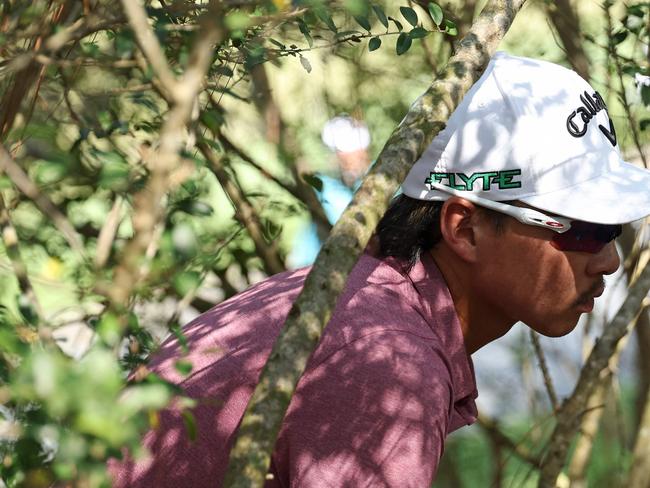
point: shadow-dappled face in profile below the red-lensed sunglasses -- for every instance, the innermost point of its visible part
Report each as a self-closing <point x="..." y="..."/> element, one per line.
<point x="522" y="276"/>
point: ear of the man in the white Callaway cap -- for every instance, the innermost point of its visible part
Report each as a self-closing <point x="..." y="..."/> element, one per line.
<point x="458" y="222"/>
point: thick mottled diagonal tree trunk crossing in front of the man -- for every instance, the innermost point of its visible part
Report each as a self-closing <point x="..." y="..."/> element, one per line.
<point x="310" y="313"/>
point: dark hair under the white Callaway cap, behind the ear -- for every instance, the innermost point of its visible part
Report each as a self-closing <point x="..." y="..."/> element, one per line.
<point x="410" y="227"/>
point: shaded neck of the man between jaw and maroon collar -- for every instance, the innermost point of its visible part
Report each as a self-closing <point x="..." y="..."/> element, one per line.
<point x="480" y="322"/>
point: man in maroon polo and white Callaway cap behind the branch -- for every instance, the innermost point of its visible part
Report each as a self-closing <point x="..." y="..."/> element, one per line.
<point x="510" y="215"/>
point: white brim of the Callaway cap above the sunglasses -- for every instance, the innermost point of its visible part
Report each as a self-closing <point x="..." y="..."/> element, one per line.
<point x="615" y="197"/>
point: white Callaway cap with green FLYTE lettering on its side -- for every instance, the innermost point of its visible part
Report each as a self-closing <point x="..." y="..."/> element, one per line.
<point x="536" y="132"/>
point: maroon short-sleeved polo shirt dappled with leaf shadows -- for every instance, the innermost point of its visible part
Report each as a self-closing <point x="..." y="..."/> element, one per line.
<point x="388" y="381"/>
